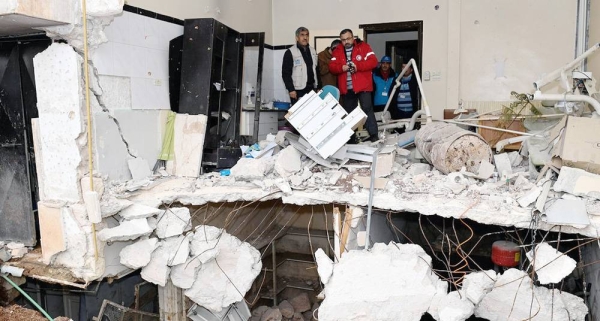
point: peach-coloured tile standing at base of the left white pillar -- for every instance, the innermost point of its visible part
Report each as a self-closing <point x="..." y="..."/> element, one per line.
<point x="51" y="231"/>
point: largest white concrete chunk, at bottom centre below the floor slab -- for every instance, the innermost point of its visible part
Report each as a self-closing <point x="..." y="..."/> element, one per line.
<point x="396" y="283"/>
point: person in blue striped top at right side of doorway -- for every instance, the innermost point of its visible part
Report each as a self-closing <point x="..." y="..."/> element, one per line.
<point x="406" y="97"/>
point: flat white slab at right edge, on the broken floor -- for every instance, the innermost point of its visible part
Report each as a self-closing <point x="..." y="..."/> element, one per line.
<point x="578" y="182"/>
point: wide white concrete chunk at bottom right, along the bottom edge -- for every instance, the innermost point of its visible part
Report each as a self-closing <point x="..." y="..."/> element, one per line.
<point x="517" y="285"/>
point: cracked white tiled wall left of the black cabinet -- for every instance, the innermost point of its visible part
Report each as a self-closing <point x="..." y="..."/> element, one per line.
<point x="133" y="75"/>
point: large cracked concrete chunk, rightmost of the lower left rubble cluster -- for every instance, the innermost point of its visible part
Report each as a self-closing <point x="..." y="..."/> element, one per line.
<point x="226" y="278"/>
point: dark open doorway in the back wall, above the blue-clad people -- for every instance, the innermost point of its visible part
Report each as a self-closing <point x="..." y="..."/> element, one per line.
<point x="401" y="41"/>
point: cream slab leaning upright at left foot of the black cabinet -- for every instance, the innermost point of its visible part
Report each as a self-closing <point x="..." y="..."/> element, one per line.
<point x="188" y="142"/>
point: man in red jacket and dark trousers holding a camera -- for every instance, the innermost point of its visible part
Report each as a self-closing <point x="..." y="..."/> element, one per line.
<point x="353" y="64"/>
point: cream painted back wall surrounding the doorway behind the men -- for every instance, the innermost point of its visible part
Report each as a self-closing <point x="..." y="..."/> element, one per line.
<point x="531" y="38"/>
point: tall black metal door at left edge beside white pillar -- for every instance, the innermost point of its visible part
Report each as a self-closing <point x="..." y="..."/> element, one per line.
<point x="18" y="105"/>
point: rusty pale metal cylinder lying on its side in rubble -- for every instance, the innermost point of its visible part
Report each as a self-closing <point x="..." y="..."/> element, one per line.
<point x="448" y="147"/>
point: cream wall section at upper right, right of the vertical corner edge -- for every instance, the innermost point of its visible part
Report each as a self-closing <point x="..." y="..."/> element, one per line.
<point x="507" y="46"/>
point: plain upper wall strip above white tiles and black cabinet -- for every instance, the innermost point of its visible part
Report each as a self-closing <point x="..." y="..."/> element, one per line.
<point x="241" y="15"/>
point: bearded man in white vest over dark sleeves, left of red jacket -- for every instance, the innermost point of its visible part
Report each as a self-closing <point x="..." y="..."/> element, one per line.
<point x="299" y="67"/>
